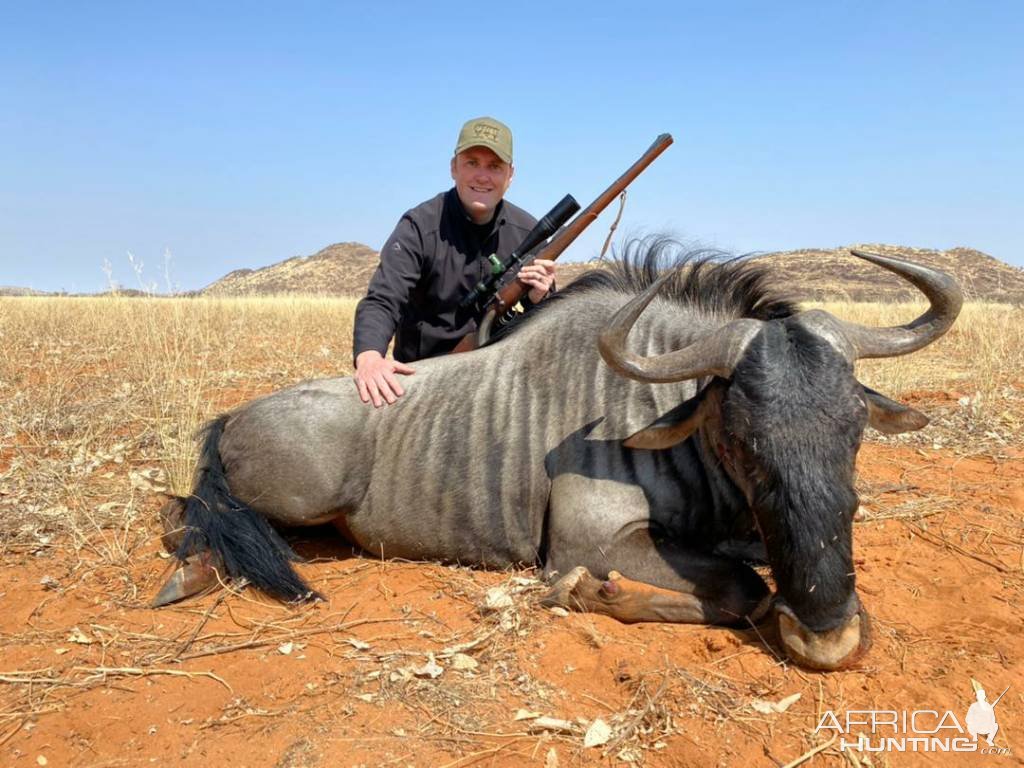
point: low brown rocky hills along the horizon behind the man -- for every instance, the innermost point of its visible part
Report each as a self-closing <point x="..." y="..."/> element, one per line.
<point x="346" y="269"/>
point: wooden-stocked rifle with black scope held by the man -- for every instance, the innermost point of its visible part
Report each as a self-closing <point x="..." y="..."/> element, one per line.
<point x="501" y="291"/>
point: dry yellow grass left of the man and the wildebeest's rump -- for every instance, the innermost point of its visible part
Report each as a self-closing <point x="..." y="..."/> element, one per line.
<point x="94" y="387"/>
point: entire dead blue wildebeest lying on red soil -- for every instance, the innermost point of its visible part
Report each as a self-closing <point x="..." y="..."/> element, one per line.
<point x="722" y="424"/>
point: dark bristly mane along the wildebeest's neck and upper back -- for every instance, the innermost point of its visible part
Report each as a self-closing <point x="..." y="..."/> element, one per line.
<point x="705" y="280"/>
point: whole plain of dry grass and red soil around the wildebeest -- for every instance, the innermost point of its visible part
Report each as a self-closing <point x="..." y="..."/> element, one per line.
<point x="410" y="664"/>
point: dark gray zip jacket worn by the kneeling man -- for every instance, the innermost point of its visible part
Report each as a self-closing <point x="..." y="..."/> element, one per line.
<point x="433" y="261"/>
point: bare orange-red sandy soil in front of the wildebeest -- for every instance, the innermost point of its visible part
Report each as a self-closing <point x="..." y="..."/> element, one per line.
<point x="945" y="587"/>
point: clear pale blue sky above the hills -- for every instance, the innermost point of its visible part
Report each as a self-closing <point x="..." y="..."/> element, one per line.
<point x="239" y="136"/>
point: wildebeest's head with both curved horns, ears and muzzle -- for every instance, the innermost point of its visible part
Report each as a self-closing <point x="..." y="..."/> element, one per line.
<point x="786" y="415"/>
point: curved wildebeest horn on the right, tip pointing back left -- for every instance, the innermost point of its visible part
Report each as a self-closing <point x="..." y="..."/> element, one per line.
<point x="943" y="292"/>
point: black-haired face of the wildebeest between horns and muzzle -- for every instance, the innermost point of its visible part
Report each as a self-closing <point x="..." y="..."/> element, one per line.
<point x="794" y="416"/>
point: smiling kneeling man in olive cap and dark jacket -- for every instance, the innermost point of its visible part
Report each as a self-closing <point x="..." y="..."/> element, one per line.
<point x="436" y="257"/>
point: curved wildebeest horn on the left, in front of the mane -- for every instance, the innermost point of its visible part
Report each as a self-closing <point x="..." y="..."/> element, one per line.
<point x="714" y="354"/>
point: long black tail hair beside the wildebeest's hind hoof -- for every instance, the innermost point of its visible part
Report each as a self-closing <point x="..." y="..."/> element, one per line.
<point x="247" y="544"/>
